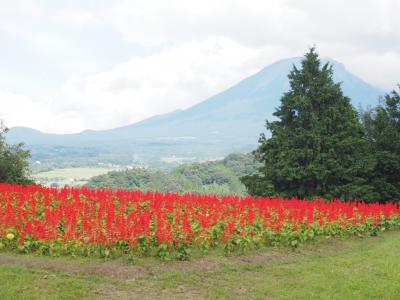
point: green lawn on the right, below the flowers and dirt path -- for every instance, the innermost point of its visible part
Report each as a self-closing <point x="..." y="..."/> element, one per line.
<point x="364" y="269"/>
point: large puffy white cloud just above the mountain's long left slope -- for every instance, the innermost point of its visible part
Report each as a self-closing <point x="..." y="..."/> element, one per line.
<point x="174" y="78"/>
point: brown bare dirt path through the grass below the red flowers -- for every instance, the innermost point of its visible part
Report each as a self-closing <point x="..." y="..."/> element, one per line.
<point x="123" y="272"/>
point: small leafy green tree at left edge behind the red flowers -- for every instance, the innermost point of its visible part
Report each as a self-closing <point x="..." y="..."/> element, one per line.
<point x="14" y="165"/>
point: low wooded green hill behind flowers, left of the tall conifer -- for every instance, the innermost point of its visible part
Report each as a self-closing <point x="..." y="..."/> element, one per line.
<point x="213" y="177"/>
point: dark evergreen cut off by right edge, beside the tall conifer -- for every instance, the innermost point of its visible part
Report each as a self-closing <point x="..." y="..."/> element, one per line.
<point x="382" y="126"/>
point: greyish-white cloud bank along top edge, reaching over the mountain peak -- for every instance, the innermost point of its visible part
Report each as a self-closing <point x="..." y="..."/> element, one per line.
<point x="364" y="28"/>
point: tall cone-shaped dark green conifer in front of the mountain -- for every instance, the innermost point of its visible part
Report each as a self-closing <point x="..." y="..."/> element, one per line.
<point x="317" y="146"/>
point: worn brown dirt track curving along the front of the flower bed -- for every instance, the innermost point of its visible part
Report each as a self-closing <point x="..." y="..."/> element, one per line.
<point x="122" y="272"/>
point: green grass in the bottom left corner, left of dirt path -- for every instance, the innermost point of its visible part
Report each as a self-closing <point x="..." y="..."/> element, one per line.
<point x="21" y="282"/>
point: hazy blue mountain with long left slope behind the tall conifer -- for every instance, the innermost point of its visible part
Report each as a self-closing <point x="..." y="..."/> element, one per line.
<point x="230" y="121"/>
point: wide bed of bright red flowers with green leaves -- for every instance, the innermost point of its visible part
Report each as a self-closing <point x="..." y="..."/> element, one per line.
<point x="104" y="222"/>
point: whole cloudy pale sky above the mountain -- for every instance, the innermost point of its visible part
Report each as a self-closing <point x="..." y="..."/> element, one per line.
<point x="67" y="66"/>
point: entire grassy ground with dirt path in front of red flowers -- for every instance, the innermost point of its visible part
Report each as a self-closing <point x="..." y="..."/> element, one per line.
<point x="347" y="268"/>
